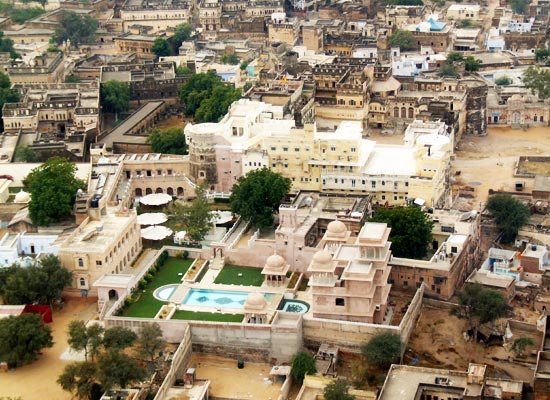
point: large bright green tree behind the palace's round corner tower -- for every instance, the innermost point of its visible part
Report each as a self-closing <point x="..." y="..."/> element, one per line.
<point x="207" y="98"/>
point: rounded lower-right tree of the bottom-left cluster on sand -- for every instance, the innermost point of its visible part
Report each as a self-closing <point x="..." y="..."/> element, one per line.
<point x="116" y="369"/>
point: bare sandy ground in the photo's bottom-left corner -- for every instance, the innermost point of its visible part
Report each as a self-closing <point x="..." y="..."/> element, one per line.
<point x="37" y="381"/>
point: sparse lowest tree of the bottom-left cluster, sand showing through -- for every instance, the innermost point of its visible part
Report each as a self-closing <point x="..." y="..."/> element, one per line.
<point x="78" y="378"/>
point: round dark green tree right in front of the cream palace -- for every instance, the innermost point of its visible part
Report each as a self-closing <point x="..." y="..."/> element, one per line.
<point x="257" y="196"/>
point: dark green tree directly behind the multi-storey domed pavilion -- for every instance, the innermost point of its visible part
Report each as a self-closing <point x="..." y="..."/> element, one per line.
<point x="411" y="230"/>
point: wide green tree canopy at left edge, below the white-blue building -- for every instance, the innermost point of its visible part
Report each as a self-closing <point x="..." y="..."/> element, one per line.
<point x="41" y="284"/>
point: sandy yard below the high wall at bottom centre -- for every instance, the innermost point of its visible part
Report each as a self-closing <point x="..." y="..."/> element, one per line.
<point x="230" y="382"/>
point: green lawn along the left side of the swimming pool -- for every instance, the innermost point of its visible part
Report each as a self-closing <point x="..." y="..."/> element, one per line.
<point x="147" y="306"/>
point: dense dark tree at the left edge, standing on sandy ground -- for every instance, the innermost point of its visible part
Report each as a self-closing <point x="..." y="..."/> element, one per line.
<point x="22" y="338"/>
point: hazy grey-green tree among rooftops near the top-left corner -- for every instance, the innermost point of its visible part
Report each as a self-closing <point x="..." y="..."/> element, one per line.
<point x="79" y="29"/>
